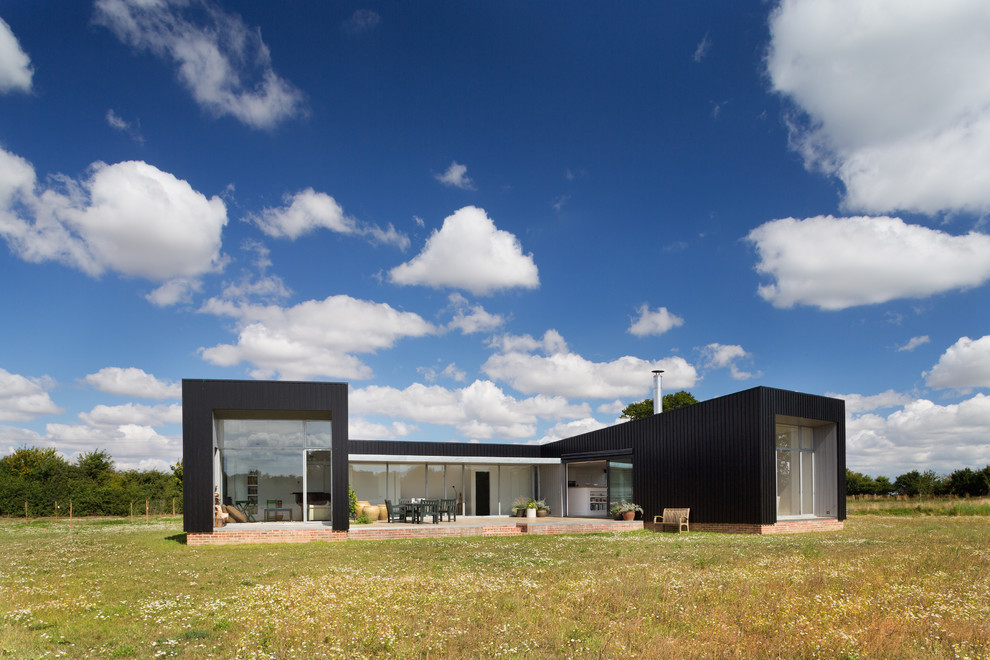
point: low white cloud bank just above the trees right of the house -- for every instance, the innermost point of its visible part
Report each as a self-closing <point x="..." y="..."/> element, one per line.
<point x="921" y="436"/>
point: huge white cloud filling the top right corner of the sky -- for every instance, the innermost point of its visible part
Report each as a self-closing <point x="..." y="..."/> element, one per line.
<point x="894" y="97"/>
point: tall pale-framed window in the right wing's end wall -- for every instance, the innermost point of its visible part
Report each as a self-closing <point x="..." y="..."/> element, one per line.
<point x="795" y="470"/>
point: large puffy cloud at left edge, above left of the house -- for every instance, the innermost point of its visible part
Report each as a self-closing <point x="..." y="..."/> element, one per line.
<point x="131" y="218"/>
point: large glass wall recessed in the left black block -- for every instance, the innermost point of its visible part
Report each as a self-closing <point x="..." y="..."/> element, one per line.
<point x="273" y="469"/>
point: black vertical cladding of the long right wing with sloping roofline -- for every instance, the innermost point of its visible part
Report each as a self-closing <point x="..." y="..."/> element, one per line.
<point x="716" y="457"/>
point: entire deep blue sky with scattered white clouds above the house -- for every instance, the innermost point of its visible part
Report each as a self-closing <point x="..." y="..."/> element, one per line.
<point x="495" y="220"/>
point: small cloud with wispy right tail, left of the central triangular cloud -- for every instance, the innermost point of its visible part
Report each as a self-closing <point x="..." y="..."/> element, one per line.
<point x="308" y="210"/>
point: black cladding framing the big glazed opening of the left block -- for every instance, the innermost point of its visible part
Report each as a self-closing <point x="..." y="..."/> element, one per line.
<point x="201" y="399"/>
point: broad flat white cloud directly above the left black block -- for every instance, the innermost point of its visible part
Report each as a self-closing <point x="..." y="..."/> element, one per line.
<point x="315" y="338"/>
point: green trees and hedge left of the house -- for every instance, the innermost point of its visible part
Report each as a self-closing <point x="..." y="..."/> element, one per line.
<point x="40" y="477"/>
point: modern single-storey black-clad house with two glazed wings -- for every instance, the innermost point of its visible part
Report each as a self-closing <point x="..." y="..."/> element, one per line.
<point x="762" y="460"/>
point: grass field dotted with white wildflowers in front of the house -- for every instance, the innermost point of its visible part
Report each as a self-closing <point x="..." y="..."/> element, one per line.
<point x="906" y="587"/>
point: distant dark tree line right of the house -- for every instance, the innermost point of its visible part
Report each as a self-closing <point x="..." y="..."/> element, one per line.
<point x="965" y="482"/>
